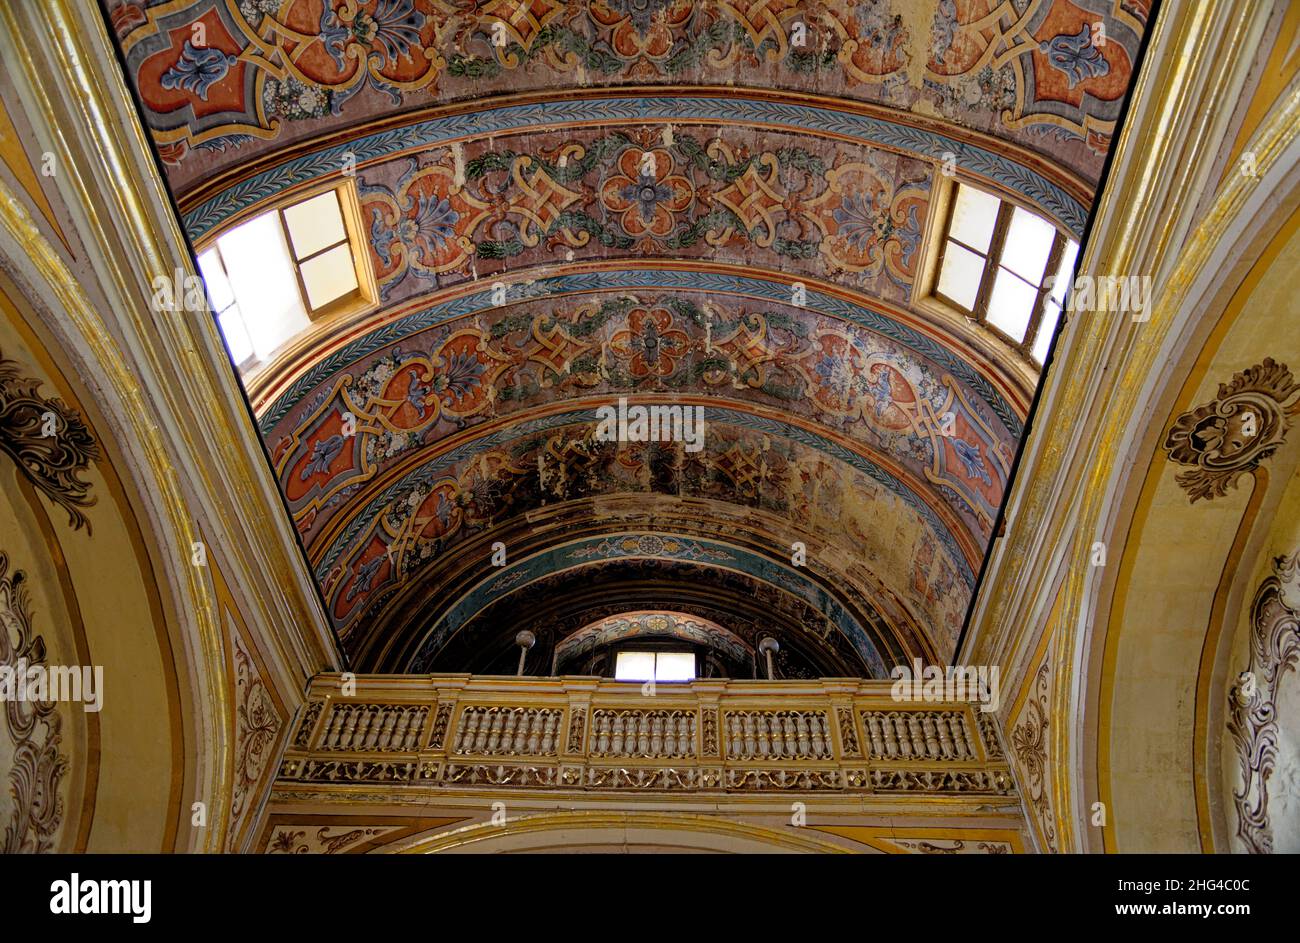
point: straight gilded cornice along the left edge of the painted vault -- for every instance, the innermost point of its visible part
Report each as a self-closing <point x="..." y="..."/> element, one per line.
<point x="90" y="122"/>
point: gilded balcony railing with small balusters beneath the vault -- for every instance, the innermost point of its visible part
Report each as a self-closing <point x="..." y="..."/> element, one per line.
<point x="461" y="732"/>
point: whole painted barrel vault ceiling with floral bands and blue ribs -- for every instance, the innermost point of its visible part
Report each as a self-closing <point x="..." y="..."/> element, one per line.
<point x="530" y="271"/>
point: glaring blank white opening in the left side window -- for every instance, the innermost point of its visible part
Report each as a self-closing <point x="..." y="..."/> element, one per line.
<point x="262" y="278"/>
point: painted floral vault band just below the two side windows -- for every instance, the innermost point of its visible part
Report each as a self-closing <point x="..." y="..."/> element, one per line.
<point x="434" y="386"/>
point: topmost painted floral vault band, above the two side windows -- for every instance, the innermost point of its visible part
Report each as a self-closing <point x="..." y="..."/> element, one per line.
<point x="1064" y="96"/>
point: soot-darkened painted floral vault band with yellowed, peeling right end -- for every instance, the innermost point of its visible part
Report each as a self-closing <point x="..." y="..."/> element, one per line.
<point x="423" y="522"/>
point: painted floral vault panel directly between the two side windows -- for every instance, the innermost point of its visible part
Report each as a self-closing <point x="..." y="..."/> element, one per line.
<point x="444" y="218"/>
